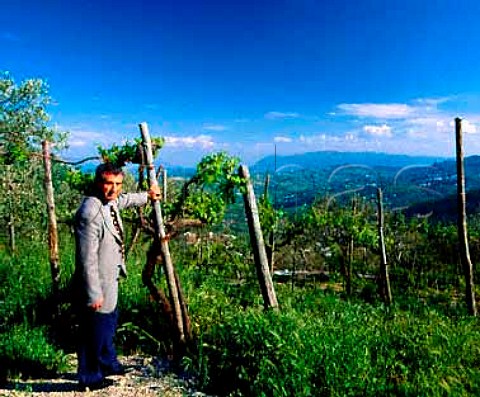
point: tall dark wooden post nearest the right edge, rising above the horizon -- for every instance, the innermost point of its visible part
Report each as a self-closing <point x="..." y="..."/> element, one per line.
<point x="462" y="223"/>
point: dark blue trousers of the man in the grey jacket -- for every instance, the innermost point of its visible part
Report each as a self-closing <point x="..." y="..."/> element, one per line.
<point x="96" y="351"/>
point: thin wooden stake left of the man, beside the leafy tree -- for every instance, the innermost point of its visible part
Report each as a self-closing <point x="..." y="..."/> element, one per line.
<point x="52" y="225"/>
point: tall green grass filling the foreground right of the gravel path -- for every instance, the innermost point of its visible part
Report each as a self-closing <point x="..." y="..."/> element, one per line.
<point x="330" y="347"/>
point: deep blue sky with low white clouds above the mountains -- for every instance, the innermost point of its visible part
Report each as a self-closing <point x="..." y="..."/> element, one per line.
<point x="244" y="76"/>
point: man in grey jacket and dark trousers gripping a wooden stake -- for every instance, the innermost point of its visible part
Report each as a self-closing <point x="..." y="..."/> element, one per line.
<point x="100" y="261"/>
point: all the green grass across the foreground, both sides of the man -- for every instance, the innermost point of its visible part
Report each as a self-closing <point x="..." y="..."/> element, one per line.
<point x="317" y="344"/>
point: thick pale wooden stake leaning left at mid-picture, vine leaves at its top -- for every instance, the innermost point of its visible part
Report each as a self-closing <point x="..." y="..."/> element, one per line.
<point x="258" y="244"/>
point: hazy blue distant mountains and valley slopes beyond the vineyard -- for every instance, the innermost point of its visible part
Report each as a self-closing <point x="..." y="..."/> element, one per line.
<point x="427" y="185"/>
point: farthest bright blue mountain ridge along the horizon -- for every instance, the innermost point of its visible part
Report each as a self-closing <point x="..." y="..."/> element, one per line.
<point x="325" y="159"/>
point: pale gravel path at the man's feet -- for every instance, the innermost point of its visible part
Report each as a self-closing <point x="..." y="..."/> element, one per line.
<point x="147" y="377"/>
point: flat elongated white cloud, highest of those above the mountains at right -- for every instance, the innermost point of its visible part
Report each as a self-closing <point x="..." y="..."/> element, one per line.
<point x="377" y="110"/>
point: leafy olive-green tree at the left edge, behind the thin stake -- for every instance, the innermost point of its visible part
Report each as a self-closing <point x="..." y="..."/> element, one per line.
<point x="23" y="125"/>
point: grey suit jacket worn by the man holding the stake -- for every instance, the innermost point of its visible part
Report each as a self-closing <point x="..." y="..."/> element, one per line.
<point x="99" y="258"/>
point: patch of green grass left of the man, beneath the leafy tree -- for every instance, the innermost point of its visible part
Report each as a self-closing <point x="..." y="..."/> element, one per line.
<point x="26" y="345"/>
